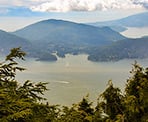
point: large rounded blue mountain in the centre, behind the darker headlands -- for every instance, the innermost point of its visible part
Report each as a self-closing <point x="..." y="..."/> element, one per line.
<point x="64" y="37"/>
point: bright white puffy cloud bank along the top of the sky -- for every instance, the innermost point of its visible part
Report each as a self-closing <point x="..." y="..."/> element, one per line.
<point x="86" y="5"/>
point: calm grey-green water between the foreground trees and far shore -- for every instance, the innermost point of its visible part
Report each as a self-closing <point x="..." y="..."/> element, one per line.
<point x="73" y="77"/>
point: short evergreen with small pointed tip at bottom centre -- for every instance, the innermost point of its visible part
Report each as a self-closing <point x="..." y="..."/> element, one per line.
<point x="81" y="112"/>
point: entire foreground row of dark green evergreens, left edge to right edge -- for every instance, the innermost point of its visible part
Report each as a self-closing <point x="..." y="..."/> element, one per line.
<point x="25" y="102"/>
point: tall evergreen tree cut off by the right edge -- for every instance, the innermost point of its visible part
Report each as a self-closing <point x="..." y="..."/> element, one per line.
<point x="136" y="95"/>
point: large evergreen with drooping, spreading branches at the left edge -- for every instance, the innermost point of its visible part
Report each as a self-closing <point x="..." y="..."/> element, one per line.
<point x="17" y="101"/>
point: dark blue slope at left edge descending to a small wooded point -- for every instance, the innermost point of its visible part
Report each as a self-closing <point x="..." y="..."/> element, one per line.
<point x="9" y="41"/>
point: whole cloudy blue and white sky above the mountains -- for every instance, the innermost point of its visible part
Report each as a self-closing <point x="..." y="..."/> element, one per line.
<point x="15" y="14"/>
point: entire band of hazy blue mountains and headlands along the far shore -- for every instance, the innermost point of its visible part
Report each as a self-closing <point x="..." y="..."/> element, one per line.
<point x="40" y="40"/>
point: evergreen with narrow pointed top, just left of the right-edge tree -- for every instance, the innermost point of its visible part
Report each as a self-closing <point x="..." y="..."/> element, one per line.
<point x="111" y="102"/>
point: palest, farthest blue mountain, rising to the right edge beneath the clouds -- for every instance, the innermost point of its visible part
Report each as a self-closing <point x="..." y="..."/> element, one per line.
<point x="137" y="20"/>
